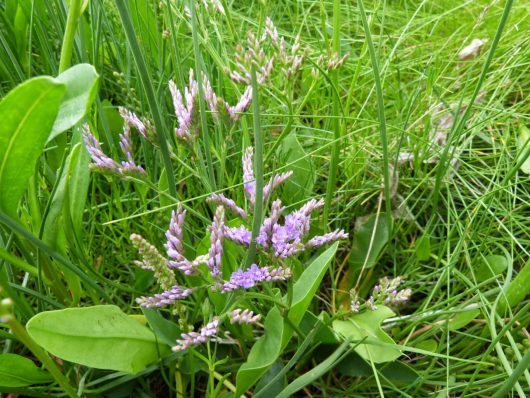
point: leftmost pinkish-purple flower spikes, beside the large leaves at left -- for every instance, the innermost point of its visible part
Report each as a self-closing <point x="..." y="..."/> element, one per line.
<point x="104" y="163"/>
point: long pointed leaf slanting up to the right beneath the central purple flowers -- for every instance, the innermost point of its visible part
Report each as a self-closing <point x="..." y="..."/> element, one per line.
<point x="278" y="332"/>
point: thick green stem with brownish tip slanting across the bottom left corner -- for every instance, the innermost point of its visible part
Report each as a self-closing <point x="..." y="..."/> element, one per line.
<point x="22" y="335"/>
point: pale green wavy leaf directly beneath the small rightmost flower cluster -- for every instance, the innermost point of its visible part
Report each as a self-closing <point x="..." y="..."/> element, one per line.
<point x="367" y="325"/>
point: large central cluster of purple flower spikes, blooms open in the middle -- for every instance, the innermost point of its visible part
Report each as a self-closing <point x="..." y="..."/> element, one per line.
<point x="277" y="240"/>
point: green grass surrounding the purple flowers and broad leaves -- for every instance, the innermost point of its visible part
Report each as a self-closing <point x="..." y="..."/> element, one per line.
<point x="444" y="220"/>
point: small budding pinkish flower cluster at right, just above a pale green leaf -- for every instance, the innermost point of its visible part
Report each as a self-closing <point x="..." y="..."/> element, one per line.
<point x="385" y="292"/>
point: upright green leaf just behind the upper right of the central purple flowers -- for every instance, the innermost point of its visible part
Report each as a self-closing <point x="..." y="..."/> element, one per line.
<point x="300" y="185"/>
